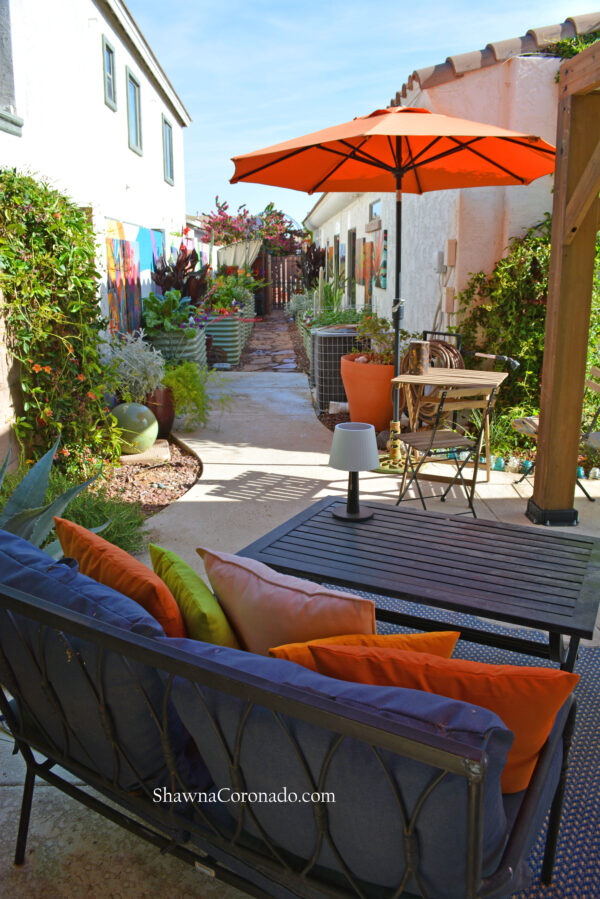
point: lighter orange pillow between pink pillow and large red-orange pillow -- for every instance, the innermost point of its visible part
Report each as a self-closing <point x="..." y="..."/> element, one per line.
<point x="438" y="643"/>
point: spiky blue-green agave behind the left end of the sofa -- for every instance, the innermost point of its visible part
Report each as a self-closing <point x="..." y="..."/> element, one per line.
<point x="25" y="513"/>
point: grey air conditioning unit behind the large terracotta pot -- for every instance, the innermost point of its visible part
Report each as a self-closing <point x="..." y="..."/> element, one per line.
<point x="329" y="344"/>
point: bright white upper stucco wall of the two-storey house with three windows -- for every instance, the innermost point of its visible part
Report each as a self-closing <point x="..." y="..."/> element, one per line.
<point x="70" y="136"/>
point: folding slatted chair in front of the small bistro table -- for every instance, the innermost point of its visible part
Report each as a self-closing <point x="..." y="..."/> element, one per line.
<point x="444" y="444"/>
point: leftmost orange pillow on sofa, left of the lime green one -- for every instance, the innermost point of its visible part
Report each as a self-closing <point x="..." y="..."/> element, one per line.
<point x="113" y="567"/>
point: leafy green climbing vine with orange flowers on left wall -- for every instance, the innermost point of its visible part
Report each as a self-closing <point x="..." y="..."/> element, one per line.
<point x="54" y="328"/>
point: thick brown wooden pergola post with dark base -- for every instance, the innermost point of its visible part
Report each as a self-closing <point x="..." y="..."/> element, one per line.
<point x="574" y="228"/>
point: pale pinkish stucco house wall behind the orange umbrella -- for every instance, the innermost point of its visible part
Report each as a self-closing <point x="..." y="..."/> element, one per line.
<point x="520" y="94"/>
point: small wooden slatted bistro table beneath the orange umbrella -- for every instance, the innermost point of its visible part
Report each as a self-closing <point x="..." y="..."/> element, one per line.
<point x="439" y="378"/>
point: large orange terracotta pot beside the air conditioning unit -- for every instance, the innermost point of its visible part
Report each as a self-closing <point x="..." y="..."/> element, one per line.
<point x="368" y="390"/>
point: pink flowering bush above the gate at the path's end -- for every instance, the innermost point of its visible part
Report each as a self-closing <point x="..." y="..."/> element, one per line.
<point x="278" y="232"/>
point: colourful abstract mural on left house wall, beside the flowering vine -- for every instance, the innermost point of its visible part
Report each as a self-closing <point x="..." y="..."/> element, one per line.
<point x="131" y="254"/>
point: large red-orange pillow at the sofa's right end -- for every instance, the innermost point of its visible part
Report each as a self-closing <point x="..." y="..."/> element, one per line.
<point x="526" y="699"/>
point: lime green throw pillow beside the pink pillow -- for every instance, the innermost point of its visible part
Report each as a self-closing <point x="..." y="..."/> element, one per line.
<point x="204" y="618"/>
